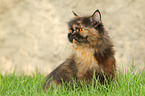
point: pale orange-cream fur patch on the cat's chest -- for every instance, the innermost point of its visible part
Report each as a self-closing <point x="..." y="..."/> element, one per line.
<point x="85" y="58"/>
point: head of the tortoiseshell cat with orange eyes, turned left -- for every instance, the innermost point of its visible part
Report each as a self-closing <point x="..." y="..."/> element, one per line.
<point x="87" y="30"/>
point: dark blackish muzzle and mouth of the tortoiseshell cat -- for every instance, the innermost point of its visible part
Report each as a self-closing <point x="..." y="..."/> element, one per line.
<point x="77" y="38"/>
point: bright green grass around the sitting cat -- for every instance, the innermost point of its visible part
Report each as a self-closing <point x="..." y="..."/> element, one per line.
<point x="128" y="84"/>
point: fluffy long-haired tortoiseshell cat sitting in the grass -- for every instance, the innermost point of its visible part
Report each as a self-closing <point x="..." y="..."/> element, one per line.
<point x="93" y="52"/>
